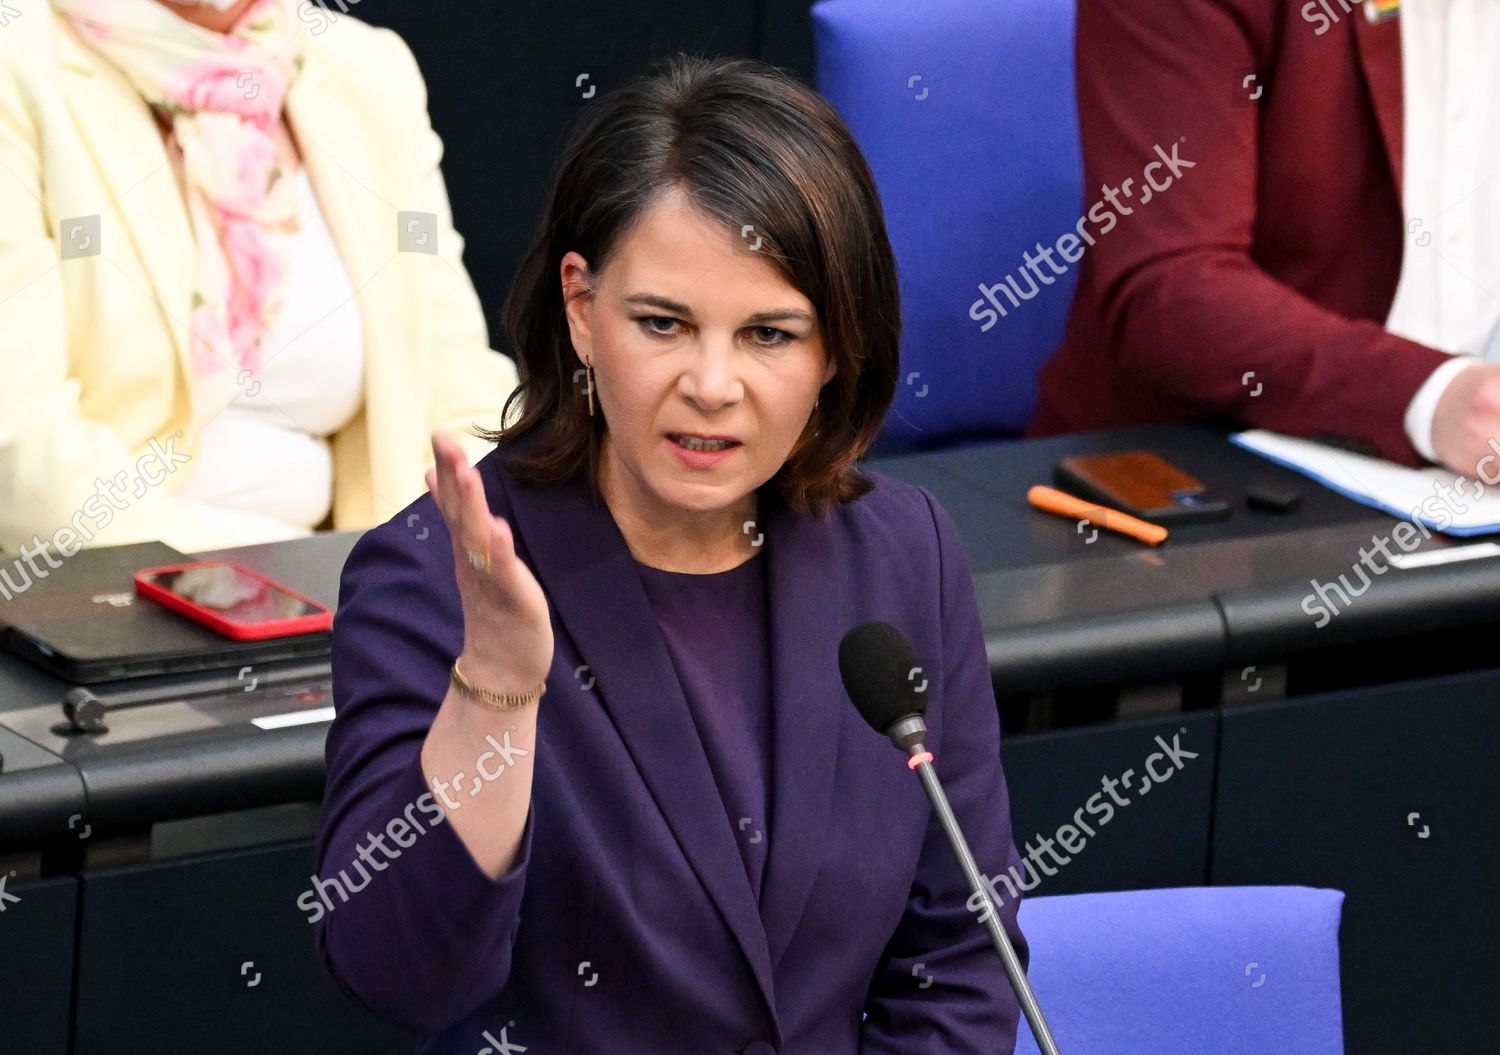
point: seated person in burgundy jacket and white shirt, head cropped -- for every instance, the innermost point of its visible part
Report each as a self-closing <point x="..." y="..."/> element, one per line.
<point x="1259" y="289"/>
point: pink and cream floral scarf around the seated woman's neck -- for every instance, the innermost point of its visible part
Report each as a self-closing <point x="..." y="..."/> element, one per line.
<point x="224" y="95"/>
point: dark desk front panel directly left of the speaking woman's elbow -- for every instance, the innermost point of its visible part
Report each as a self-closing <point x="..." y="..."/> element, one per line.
<point x="212" y="955"/>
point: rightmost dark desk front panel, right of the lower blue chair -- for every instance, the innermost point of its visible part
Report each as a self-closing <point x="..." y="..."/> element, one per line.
<point x="1388" y="795"/>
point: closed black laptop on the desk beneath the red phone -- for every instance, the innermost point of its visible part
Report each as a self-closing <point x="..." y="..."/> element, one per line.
<point x="85" y="622"/>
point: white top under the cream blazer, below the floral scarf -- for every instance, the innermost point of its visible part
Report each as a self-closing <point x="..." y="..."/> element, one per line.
<point x="265" y="466"/>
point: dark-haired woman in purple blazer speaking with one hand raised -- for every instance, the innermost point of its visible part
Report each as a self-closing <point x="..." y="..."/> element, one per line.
<point x="694" y="843"/>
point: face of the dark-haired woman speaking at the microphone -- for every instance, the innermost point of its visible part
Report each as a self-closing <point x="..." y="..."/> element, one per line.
<point x="691" y="331"/>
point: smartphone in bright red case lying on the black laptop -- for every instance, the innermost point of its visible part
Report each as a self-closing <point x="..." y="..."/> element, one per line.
<point x="235" y="601"/>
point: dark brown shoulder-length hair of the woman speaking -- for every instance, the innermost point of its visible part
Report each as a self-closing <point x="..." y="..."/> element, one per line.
<point x="748" y="145"/>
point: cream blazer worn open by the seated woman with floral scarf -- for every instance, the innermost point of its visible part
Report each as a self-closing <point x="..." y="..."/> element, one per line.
<point x="95" y="377"/>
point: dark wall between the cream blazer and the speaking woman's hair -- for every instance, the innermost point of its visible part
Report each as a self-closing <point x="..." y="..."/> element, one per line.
<point x="503" y="92"/>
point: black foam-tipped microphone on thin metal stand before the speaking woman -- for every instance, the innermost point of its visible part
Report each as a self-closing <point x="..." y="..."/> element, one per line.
<point x="887" y="684"/>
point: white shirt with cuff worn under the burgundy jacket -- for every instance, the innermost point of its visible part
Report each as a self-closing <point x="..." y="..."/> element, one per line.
<point x="1450" y="290"/>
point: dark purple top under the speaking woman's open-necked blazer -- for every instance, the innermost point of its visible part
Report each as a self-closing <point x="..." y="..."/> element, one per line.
<point x="715" y="628"/>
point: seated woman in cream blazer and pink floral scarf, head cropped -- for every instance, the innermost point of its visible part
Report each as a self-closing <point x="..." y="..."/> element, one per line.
<point x="233" y="304"/>
